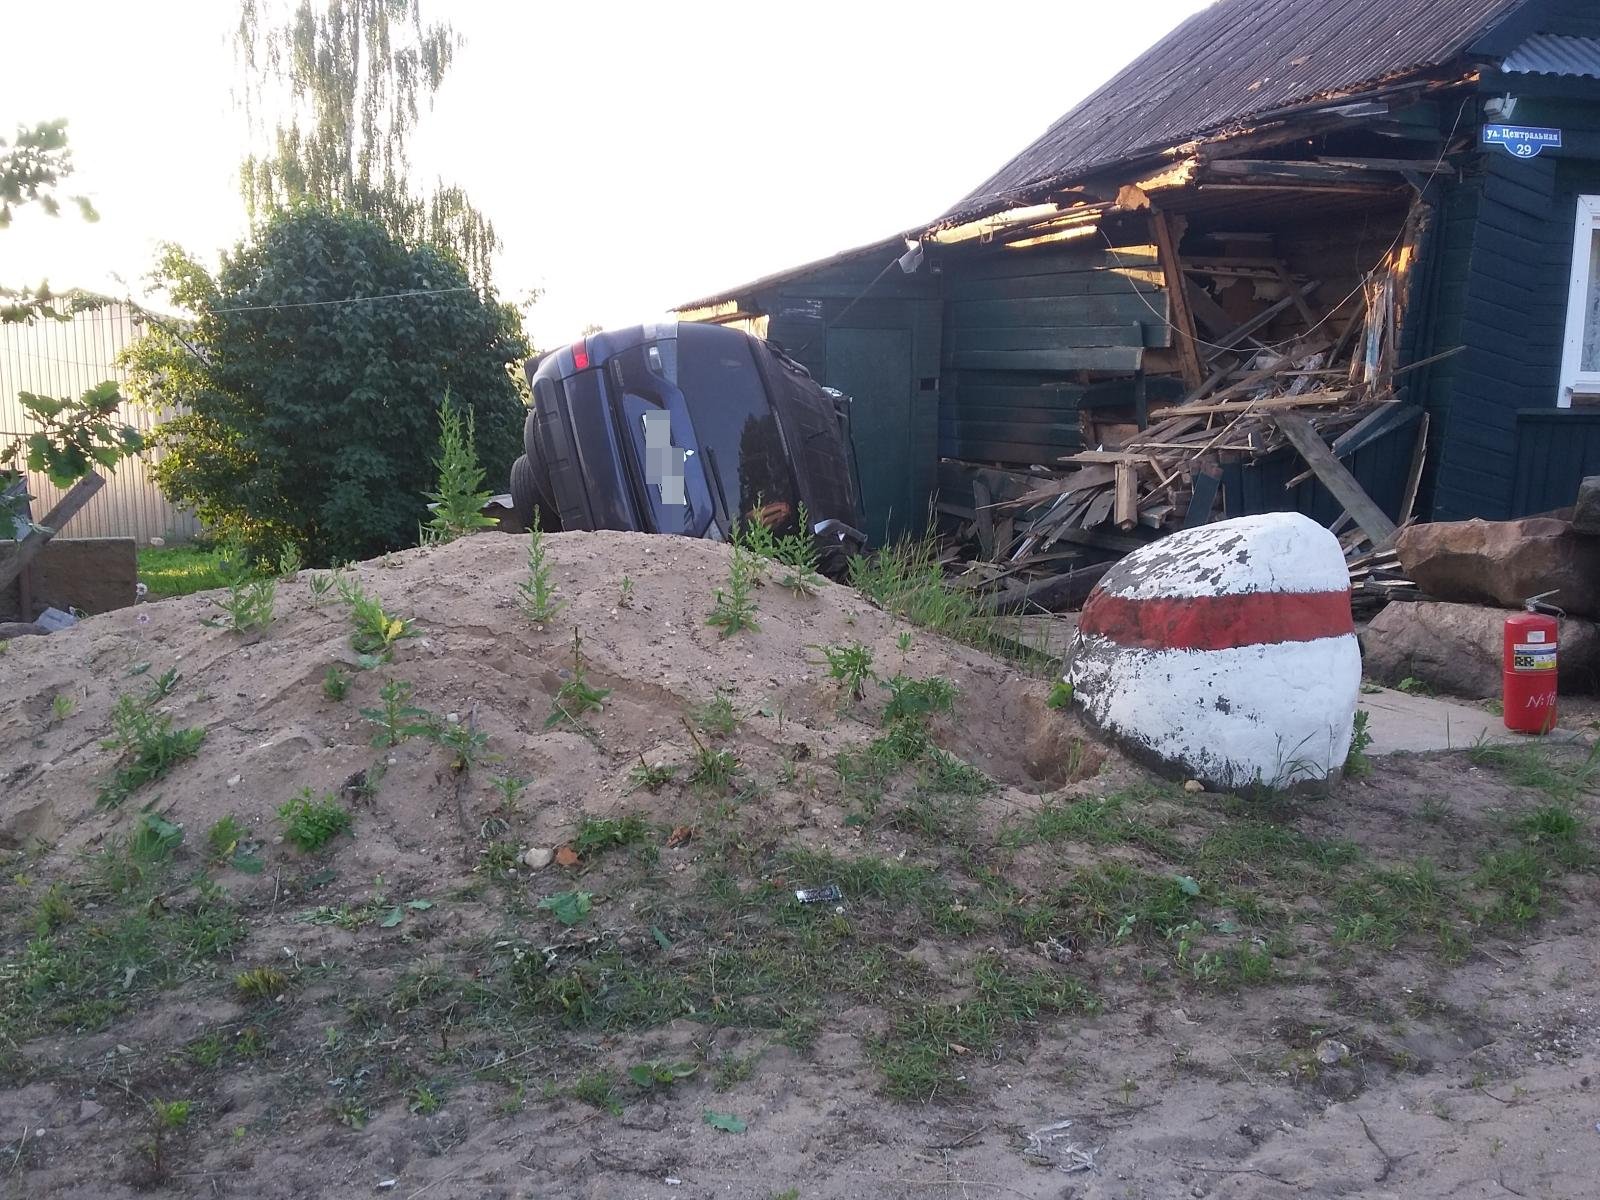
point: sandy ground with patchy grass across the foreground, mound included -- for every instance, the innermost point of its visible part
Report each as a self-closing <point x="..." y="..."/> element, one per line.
<point x="1462" y="1058"/>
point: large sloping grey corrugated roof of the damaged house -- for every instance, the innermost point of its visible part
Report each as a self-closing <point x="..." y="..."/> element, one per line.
<point x="1238" y="62"/>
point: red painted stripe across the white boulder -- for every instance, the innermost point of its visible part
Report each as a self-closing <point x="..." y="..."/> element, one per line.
<point x="1218" y="622"/>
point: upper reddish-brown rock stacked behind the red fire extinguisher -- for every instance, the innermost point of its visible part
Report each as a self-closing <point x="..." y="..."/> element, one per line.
<point x="1505" y="562"/>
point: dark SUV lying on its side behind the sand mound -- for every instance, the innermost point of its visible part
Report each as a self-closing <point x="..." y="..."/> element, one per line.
<point x="690" y="430"/>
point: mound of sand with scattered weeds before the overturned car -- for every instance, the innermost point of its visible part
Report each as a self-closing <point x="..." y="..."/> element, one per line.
<point x="273" y="732"/>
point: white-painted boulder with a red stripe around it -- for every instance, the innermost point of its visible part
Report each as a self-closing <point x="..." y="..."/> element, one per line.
<point x="1226" y="654"/>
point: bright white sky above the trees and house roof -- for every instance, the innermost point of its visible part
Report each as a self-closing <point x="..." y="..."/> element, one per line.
<point x="631" y="156"/>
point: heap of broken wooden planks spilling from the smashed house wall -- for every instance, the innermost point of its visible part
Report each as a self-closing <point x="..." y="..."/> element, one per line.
<point x="1044" y="538"/>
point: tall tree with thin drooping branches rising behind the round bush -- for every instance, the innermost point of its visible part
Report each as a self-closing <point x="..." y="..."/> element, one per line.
<point x="348" y="82"/>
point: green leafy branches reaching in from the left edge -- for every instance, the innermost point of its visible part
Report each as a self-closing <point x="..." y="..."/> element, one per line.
<point x="73" y="436"/>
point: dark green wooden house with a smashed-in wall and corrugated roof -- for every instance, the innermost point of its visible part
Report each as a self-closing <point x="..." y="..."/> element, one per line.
<point x="1340" y="257"/>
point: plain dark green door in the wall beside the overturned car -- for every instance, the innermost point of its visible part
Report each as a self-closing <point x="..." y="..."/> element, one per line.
<point x="873" y="367"/>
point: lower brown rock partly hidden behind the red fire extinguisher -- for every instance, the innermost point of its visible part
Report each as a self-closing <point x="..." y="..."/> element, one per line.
<point x="1457" y="649"/>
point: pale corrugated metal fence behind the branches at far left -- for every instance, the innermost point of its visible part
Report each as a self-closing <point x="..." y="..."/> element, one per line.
<point x="66" y="359"/>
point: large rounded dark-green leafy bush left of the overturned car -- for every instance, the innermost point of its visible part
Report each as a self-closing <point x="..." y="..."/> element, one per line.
<point x="310" y="386"/>
